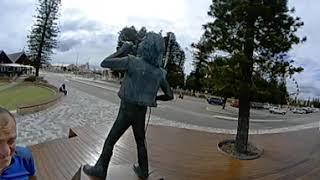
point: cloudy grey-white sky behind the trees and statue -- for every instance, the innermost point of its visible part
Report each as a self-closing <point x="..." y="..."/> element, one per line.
<point x="89" y="29"/>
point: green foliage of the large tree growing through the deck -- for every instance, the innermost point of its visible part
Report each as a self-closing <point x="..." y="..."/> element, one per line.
<point x="272" y="33"/>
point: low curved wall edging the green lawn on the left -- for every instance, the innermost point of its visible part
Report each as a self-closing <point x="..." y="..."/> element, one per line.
<point x="39" y="106"/>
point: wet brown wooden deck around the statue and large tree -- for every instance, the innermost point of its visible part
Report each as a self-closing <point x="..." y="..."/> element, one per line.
<point x="181" y="154"/>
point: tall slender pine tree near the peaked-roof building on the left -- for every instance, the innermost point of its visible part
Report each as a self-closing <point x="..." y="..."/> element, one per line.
<point x="42" y="39"/>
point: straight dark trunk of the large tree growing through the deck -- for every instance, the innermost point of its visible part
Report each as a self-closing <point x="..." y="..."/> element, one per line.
<point x="246" y="65"/>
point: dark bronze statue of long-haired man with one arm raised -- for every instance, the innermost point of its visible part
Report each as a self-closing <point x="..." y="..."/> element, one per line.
<point x="144" y="77"/>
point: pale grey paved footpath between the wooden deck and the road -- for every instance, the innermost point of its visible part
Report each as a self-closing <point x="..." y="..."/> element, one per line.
<point x="81" y="109"/>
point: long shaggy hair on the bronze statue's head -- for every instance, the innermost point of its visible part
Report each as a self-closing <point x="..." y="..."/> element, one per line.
<point x="151" y="49"/>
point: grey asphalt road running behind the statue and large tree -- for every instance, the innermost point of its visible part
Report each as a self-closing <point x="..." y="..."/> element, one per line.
<point x="189" y="110"/>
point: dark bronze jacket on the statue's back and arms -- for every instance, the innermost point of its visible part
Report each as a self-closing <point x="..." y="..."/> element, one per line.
<point x="142" y="80"/>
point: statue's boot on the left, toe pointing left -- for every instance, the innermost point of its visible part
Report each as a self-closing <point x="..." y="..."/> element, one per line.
<point x="101" y="167"/>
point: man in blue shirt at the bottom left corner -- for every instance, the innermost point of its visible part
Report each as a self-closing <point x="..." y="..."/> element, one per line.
<point x="16" y="163"/>
